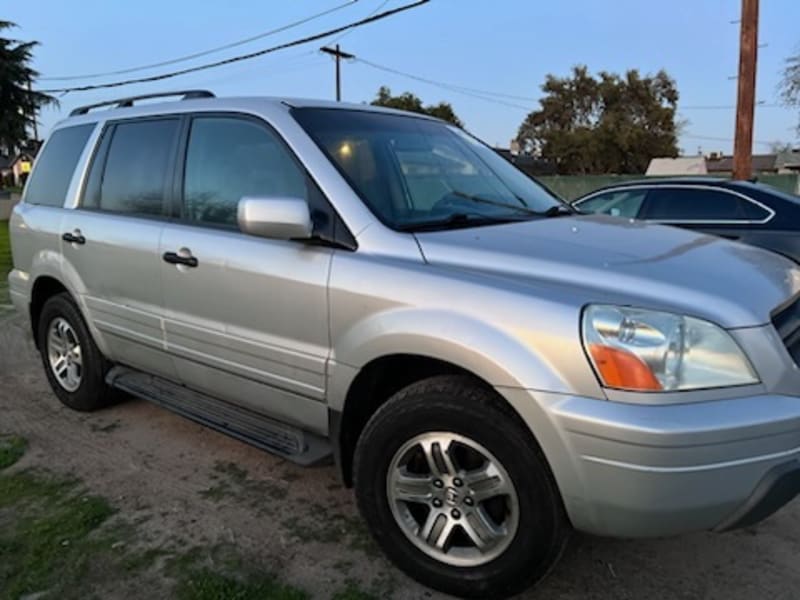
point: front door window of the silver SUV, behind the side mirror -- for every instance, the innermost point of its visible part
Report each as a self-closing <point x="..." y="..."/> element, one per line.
<point x="229" y="158"/>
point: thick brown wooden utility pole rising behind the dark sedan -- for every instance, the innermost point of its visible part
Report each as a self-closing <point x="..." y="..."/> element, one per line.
<point x="745" y="102"/>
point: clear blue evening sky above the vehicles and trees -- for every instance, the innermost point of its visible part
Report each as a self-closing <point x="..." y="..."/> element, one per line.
<point x="504" y="46"/>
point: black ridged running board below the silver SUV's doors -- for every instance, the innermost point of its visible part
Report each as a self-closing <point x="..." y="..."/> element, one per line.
<point x="289" y="442"/>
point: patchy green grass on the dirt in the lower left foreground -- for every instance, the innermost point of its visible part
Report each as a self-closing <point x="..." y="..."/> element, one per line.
<point x="59" y="542"/>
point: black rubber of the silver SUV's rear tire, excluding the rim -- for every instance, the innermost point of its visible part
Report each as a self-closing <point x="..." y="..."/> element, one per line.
<point x="92" y="393"/>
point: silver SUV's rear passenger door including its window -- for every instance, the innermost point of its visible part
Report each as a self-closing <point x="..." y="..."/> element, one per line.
<point x="113" y="239"/>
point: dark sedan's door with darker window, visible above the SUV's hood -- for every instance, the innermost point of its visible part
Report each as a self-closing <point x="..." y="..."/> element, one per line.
<point x="715" y="211"/>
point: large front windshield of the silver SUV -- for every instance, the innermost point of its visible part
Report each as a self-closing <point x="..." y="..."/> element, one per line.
<point x="418" y="174"/>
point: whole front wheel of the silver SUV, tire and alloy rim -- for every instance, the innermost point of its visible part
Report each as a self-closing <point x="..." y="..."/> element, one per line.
<point x="461" y="412"/>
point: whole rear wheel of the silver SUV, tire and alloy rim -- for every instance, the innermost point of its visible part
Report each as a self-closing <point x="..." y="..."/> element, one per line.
<point x="88" y="391"/>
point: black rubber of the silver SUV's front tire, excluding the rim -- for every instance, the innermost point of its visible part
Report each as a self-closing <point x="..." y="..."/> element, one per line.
<point x="542" y="529"/>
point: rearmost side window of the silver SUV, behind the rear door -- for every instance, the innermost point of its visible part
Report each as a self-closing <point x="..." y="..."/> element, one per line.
<point x="50" y="180"/>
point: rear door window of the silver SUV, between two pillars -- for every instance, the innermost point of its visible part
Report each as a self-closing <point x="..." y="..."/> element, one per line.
<point x="135" y="168"/>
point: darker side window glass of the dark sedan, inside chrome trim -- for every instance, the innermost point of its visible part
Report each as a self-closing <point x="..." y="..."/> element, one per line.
<point x="694" y="204"/>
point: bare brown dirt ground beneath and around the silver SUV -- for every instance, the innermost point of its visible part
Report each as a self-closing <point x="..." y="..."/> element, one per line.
<point x="186" y="486"/>
